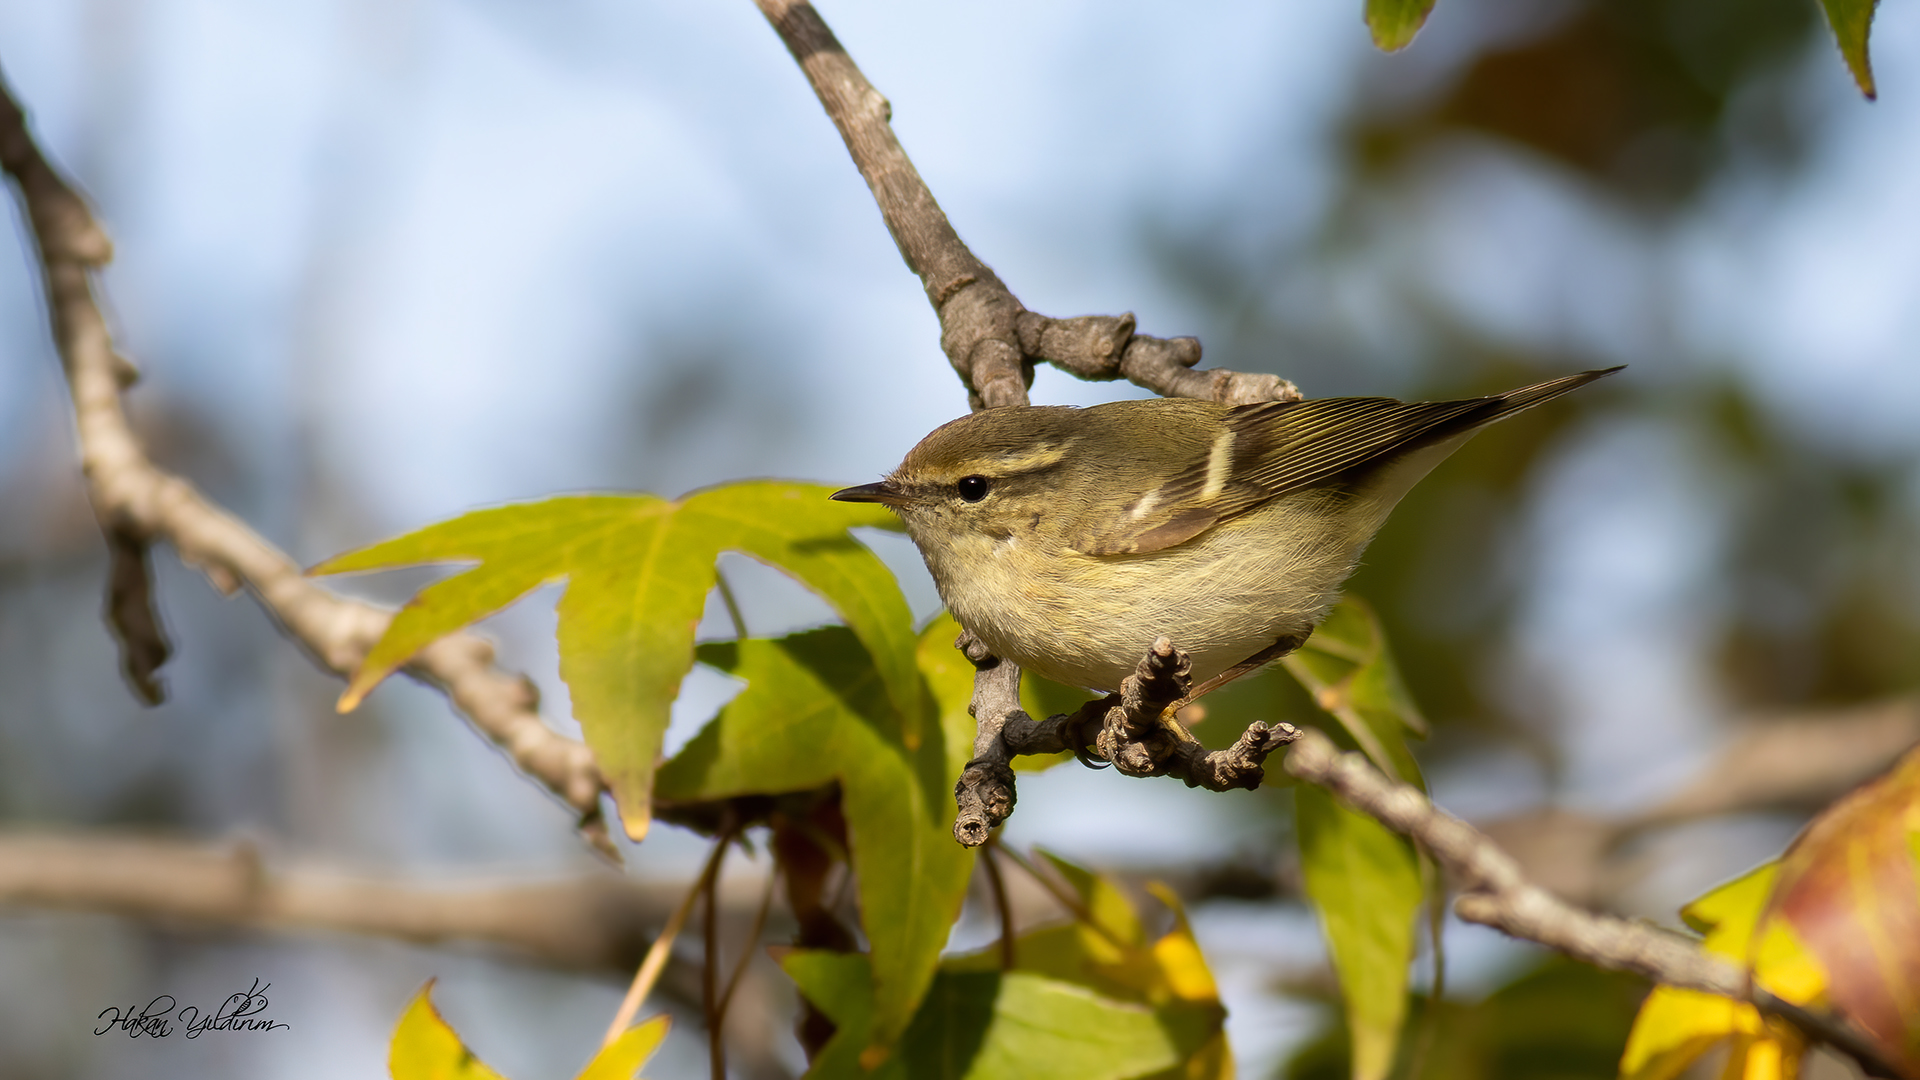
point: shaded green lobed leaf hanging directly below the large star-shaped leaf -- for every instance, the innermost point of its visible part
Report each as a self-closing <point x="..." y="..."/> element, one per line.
<point x="817" y="712"/>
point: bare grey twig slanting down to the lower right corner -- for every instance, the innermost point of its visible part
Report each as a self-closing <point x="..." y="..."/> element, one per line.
<point x="1495" y="895"/>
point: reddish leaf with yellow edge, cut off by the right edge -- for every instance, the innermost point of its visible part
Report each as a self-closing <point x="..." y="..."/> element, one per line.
<point x="1850" y="891"/>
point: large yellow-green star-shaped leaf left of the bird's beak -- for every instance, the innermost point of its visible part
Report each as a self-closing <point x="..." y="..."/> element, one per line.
<point x="638" y="570"/>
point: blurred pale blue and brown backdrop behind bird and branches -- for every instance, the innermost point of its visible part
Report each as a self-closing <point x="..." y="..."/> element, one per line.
<point x="383" y="262"/>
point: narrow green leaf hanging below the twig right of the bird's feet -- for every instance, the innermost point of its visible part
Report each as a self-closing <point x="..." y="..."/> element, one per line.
<point x="1366" y="887"/>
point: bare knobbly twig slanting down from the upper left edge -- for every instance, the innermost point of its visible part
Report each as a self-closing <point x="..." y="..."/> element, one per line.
<point x="139" y="503"/>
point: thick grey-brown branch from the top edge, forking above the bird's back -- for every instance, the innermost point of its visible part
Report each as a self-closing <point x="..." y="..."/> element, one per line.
<point x="988" y="335"/>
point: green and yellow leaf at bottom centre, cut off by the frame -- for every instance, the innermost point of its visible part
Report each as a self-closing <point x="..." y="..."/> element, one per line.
<point x="1086" y="1000"/>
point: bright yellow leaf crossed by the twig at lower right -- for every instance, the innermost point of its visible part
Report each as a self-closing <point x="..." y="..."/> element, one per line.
<point x="1677" y="1027"/>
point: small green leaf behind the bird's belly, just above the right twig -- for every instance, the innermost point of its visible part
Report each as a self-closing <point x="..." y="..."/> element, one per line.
<point x="1349" y="670"/>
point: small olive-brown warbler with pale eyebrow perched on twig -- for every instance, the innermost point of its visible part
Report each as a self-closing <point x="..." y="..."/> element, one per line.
<point x="1070" y="539"/>
